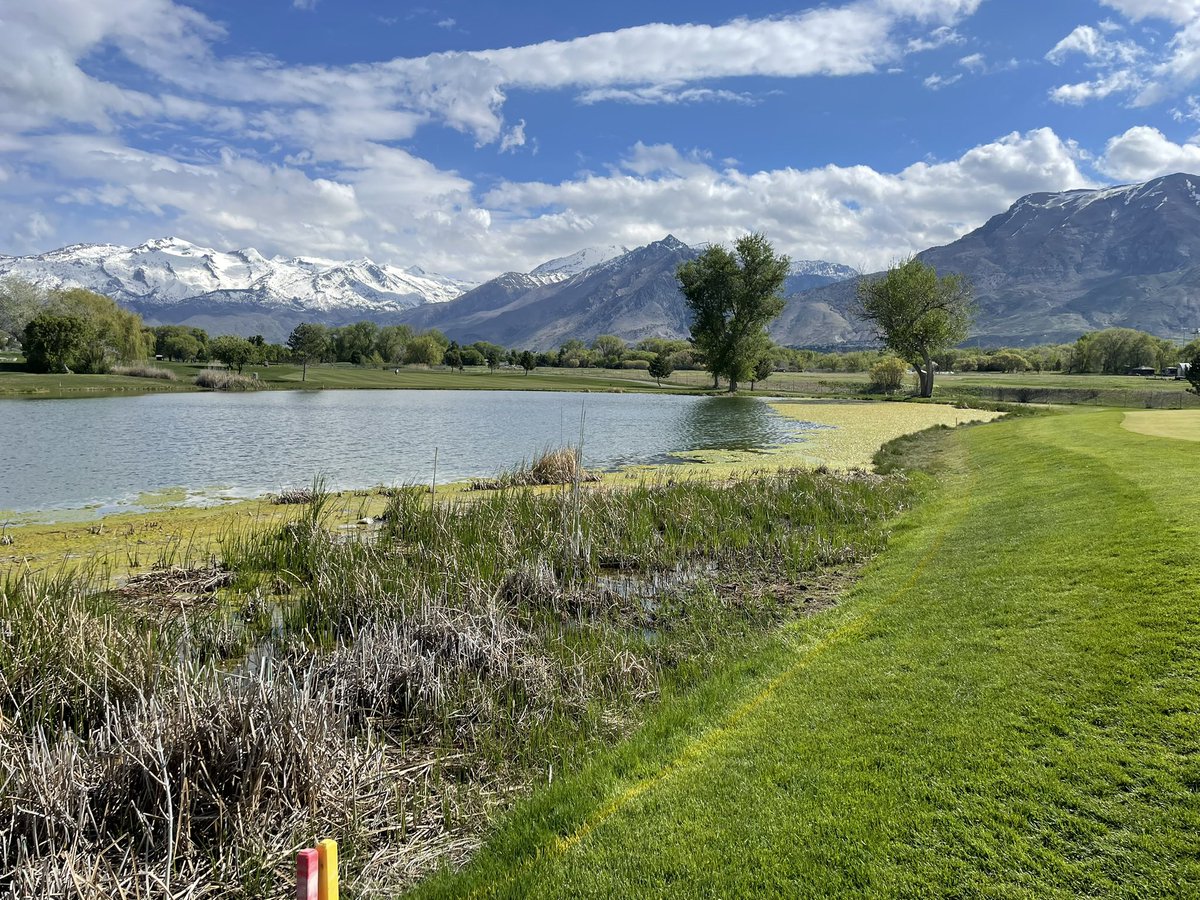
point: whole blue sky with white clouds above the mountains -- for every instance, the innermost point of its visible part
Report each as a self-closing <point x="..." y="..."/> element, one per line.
<point x="473" y="139"/>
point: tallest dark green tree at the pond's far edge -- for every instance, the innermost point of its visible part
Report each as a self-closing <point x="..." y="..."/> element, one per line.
<point x="734" y="296"/>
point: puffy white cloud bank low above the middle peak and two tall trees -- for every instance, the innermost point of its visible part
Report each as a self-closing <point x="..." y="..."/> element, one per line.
<point x="851" y="214"/>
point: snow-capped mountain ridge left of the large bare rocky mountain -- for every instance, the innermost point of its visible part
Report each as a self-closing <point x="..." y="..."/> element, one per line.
<point x="603" y="290"/>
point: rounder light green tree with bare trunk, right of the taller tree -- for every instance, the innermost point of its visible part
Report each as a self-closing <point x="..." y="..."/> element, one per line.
<point x="917" y="314"/>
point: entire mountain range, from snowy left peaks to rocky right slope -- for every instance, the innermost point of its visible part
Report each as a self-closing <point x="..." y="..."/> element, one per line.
<point x="1051" y="268"/>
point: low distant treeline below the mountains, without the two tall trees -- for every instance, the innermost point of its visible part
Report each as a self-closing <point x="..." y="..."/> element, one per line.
<point x="83" y="332"/>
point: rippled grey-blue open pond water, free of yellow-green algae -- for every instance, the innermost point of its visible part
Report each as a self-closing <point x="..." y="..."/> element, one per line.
<point x="111" y="454"/>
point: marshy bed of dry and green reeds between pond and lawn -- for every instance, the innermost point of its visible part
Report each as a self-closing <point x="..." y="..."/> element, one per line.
<point x="392" y="689"/>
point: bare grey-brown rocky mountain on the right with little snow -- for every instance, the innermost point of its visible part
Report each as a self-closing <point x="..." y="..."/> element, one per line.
<point x="1055" y="266"/>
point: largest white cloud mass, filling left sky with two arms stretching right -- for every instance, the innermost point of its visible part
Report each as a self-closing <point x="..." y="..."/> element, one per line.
<point x="307" y="159"/>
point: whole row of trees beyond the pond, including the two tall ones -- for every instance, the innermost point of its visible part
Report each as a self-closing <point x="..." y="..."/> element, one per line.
<point x="734" y="296"/>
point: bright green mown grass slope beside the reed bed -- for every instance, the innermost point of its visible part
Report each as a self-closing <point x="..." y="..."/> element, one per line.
<point x="1006" y="706"/>
